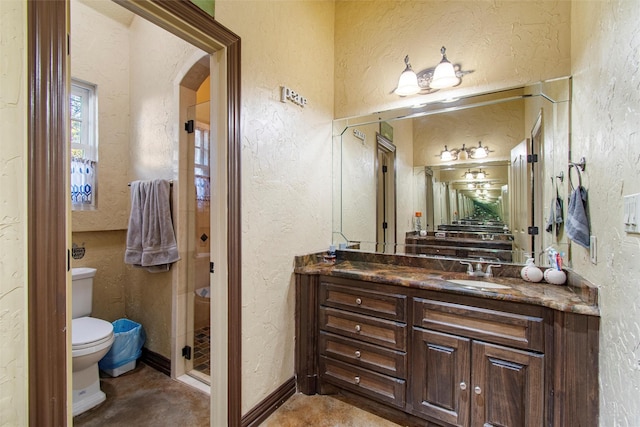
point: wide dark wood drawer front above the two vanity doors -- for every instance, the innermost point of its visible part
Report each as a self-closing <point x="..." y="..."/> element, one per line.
<point x="524" y="330"/>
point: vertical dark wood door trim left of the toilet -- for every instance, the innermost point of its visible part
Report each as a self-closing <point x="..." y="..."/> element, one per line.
<point x="47" y="233"/>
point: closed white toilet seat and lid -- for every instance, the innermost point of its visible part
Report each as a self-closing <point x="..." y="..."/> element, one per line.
<point x="89" y="335"/>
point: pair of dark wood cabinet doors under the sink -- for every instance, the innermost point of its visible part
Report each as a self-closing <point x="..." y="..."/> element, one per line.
<point x="467" y="382"/>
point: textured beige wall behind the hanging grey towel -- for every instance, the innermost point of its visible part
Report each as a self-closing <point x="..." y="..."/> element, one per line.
<point x="158" y="61"/>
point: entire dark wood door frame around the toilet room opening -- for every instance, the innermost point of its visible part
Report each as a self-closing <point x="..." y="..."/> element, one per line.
<point x="48" y="156"/>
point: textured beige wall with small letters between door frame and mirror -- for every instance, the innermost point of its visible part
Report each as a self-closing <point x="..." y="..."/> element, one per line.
<point x="286" y="171"/>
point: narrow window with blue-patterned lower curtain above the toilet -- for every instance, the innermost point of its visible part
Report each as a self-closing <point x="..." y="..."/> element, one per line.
<point x="84" y="145"/>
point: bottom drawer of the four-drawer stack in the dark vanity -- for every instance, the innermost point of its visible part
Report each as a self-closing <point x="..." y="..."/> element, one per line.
<point x="359" y="380"/>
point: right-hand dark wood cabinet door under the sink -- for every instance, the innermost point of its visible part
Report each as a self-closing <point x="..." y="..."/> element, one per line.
<point x="507" y="387"/>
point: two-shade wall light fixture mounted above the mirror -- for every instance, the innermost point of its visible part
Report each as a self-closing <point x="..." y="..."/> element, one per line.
<point x="429" y="80"/>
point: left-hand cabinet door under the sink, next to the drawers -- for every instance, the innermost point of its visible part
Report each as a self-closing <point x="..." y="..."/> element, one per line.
<point x="440" y="376"/>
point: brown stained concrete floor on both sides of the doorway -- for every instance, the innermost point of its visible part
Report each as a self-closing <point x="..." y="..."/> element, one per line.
<point x="145" y="397"/>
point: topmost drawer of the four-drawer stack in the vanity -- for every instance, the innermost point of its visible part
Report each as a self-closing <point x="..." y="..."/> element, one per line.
<point x="376" y="303"/>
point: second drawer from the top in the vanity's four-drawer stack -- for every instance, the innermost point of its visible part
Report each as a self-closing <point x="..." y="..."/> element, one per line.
<point x="365" y="328"/>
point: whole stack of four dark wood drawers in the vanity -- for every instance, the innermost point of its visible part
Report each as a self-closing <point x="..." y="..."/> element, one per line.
<point x="363" y="341"/>
